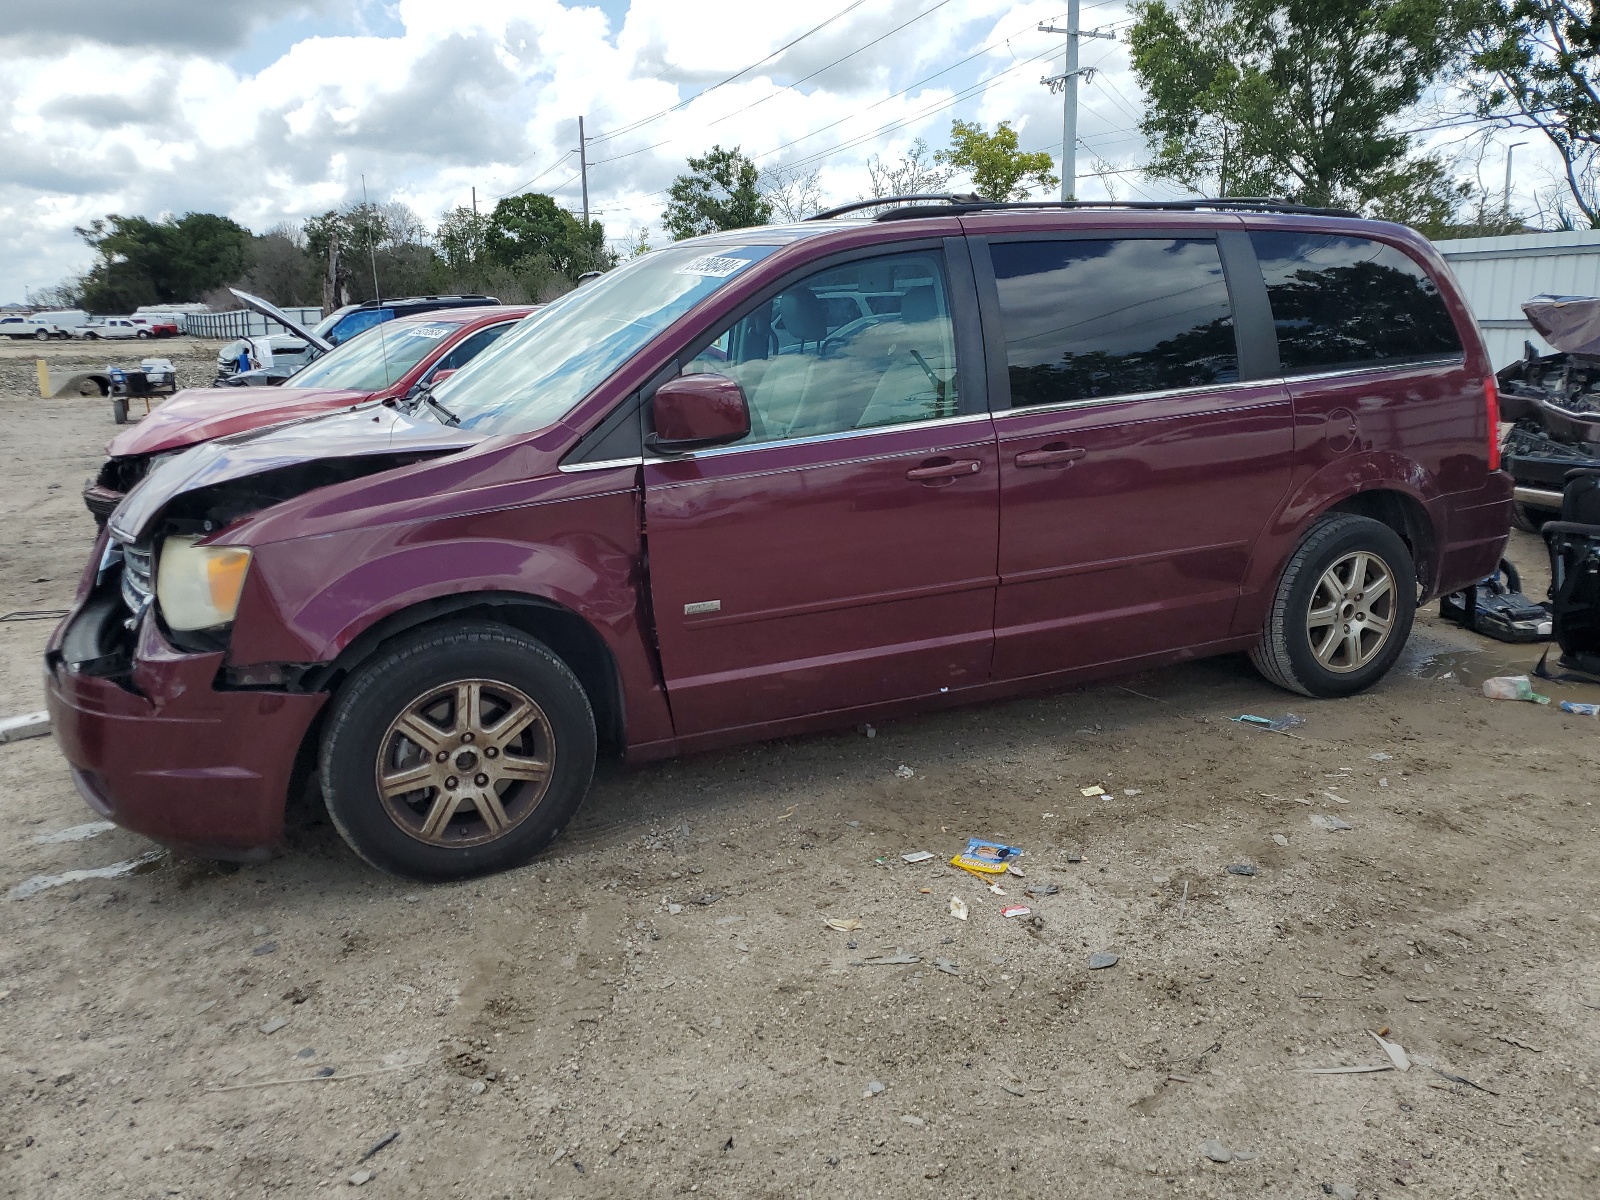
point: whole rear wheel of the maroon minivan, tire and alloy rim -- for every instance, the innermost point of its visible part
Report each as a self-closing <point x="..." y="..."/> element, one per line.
<point x="1342" y="612"/>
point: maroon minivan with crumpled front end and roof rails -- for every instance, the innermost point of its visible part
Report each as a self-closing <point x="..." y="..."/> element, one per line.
<point x="786" y="479"/>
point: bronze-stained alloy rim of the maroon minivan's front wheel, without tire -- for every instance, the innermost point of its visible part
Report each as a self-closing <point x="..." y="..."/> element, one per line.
<point x="466" y="764"/>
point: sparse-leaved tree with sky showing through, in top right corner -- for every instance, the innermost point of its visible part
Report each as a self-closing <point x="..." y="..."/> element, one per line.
<point x="1538" y="62"/>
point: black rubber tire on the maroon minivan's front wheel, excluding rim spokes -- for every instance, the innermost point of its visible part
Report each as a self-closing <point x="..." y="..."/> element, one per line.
<point x="361" y="737"/>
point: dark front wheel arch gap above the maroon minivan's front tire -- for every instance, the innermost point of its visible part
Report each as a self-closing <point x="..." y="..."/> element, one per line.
<point x="569" y="636"/>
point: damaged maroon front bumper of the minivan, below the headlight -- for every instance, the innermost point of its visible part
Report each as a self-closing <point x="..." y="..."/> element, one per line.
<point x="158" y="746"/>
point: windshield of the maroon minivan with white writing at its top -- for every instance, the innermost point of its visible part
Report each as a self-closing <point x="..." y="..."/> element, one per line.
<point x="538" y="372"/>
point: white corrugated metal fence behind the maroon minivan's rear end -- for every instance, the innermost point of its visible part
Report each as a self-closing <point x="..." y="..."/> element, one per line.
<point x="1500" y="273"/>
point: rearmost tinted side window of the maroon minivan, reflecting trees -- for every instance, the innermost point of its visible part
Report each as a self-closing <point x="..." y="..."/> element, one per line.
<point x="1348" y="302"/>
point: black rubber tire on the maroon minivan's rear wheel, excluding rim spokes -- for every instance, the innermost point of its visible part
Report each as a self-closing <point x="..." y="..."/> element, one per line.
<point x="1286" y="654"/>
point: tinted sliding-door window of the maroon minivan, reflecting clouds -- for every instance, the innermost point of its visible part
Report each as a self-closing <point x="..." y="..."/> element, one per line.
<point x="1113" y="318"/>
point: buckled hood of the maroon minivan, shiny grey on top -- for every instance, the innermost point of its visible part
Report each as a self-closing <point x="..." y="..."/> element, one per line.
<point x="351" y="444"/>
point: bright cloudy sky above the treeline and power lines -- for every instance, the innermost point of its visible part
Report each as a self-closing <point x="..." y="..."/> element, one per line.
<point x="274" y="111"/>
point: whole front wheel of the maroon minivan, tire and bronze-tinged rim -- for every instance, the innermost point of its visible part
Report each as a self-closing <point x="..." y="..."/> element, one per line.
<point x="457" y="751"/>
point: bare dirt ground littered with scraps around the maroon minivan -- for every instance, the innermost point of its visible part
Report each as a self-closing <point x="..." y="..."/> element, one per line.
<point x="658" y="1007"/>
